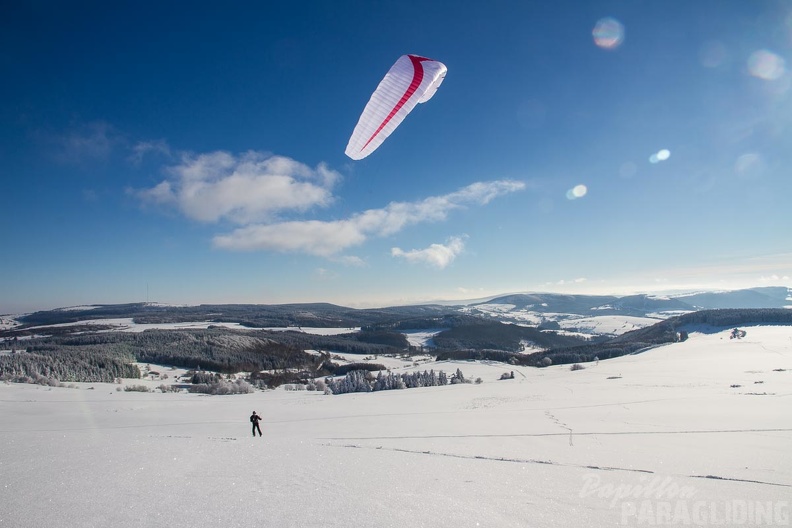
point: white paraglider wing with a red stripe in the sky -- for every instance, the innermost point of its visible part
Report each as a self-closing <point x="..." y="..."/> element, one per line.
<point x="410" y="81"/>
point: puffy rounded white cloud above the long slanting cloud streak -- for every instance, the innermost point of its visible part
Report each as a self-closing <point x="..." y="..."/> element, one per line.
<point x="243" y="189"/>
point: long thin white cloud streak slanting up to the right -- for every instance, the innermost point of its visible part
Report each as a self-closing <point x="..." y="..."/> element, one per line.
<point x="328" y="238"/>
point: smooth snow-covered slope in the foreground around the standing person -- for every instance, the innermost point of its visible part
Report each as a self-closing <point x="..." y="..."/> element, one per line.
<point x="694" y="433"/>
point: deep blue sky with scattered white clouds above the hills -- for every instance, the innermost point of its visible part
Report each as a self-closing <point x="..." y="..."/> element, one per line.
<point x="154" y="152"/>
